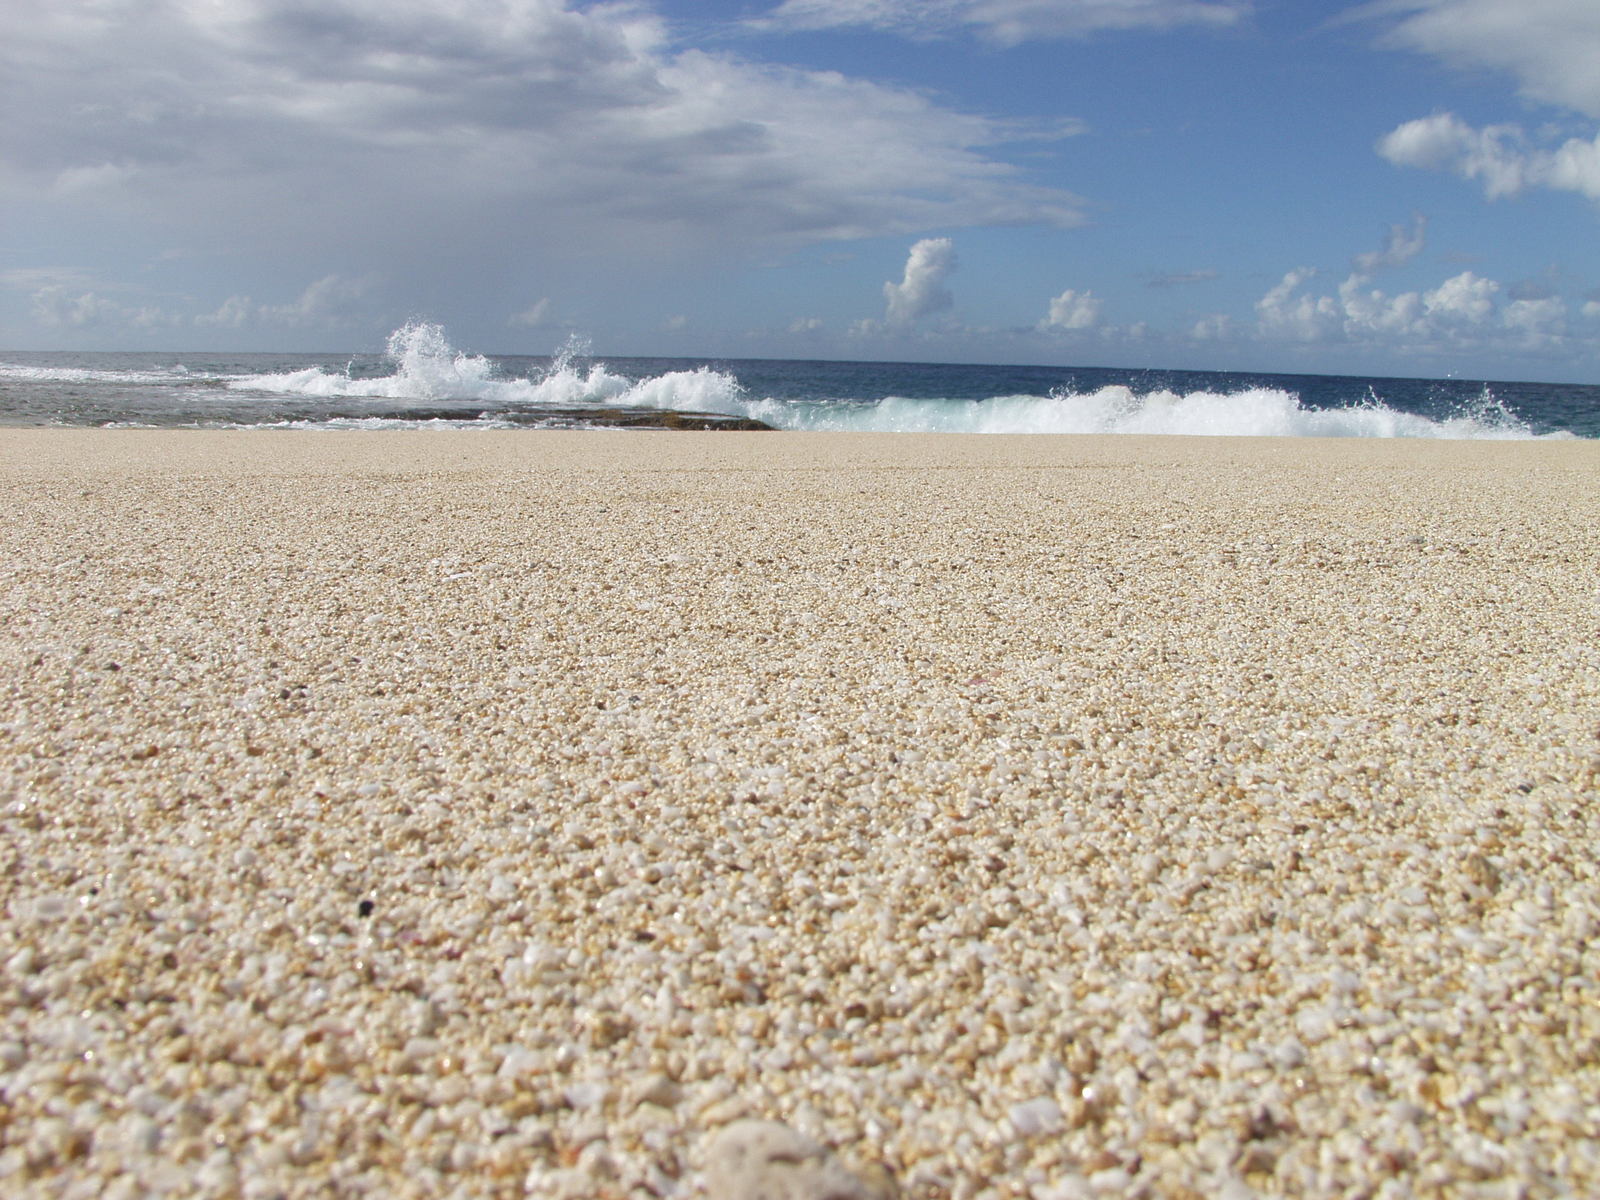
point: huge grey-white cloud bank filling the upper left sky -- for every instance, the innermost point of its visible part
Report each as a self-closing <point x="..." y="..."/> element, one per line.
<point x="353" y="124"/>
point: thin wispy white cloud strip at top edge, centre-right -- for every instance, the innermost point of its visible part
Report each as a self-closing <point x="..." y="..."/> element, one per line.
<point x="1002" y="22"/>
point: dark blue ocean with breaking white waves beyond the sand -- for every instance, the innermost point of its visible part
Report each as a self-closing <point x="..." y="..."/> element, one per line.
<point x="426" y="383"/>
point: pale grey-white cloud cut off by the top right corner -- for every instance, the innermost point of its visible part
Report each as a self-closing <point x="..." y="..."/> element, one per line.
<point x="1550" y="47"/>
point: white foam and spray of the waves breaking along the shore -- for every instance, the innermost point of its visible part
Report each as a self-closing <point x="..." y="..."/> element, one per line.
<point x="430" y="369"/>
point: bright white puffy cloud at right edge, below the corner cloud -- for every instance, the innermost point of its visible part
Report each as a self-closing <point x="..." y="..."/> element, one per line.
<point x="1498" y="156"/>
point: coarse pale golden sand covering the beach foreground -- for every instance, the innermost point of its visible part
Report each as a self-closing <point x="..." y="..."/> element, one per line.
<point x="498" y="815"/>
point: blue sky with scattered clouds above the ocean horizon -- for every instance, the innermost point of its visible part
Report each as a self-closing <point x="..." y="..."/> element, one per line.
<point x="1398" y="188"/>
